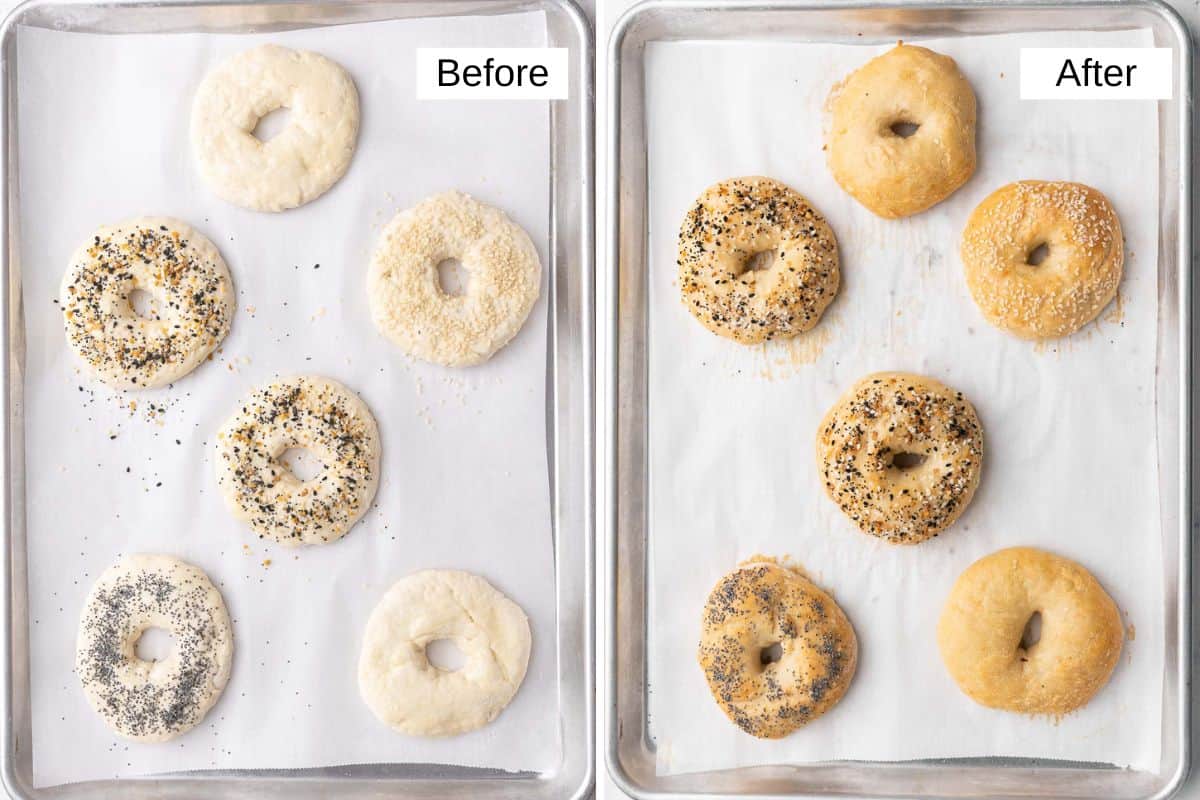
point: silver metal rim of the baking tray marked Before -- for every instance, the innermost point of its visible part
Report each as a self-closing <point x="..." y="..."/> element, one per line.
<point x="573" y="306"/>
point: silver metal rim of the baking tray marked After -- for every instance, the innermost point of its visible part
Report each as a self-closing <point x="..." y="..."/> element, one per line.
<point x="614" y="404"/>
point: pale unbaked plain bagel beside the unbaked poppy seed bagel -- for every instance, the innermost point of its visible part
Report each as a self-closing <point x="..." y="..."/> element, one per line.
<point x="413" y="696"/>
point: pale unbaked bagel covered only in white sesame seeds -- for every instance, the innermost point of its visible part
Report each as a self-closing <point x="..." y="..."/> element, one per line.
<point x="409" y="304"/>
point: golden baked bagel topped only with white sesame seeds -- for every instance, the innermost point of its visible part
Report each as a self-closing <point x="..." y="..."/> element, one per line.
<point x="1079" y="275"/>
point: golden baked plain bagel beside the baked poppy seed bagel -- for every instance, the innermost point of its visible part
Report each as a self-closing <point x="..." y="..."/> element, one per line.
<point x="982" y="633"/>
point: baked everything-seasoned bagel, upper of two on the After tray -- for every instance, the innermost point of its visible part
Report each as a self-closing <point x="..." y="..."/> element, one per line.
<point x="727" y="232"/>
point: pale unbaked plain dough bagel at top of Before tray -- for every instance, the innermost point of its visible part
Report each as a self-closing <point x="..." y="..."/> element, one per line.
<point x="307" y="159"/>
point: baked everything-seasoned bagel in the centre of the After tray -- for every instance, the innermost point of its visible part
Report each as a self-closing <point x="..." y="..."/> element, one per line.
<point x="902" y="456"/>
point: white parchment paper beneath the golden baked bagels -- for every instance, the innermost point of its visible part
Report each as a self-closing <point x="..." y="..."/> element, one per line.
<point x="1070" y="426"/>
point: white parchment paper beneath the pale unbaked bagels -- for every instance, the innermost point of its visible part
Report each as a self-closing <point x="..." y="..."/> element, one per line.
<point x="104" y="136"/>
